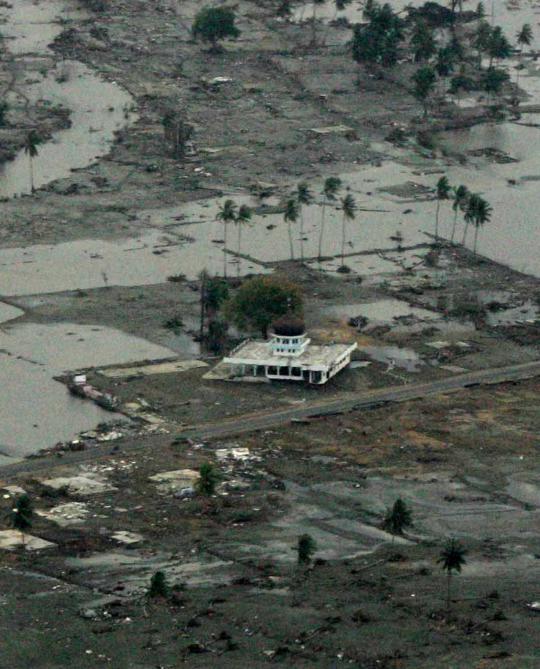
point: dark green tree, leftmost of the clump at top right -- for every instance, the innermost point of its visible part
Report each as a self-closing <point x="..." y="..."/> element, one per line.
<point x="376" y="42"/>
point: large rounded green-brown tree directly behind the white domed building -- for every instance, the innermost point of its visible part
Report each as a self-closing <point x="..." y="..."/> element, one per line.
<point x="262" y="300"/>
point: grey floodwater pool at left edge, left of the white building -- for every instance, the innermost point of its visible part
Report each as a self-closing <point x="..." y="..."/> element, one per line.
<point x="38" y="411"/>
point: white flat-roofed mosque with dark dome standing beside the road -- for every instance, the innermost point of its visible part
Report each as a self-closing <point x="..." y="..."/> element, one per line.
<point x="289" y="356"/>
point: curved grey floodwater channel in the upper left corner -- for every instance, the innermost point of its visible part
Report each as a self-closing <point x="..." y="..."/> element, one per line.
<point x="99" y="108"/>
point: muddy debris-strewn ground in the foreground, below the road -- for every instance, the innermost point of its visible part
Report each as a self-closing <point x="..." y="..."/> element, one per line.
<point x="465" y="465"/>
